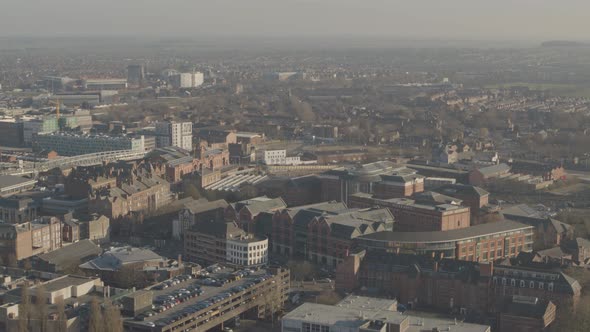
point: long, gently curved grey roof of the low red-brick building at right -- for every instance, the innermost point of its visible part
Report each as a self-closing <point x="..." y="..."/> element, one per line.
<point x="447" y="236"/>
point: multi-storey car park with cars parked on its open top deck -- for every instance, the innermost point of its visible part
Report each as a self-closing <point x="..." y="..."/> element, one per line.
<point x="213" y="300"/>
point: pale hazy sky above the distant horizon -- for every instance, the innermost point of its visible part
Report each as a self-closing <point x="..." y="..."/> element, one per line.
<point x="423" y="19"/>
